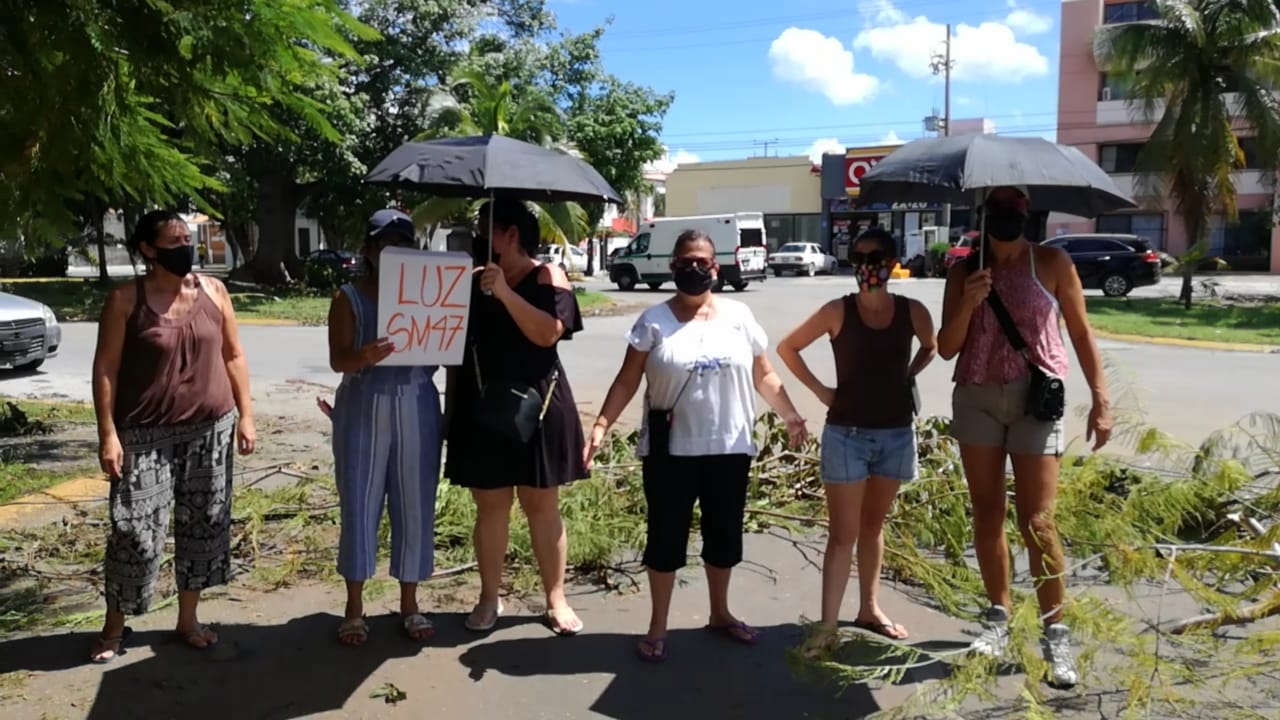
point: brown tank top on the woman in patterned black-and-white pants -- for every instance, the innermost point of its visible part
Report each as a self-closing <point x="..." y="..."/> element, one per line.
<point x="172" y="370"/>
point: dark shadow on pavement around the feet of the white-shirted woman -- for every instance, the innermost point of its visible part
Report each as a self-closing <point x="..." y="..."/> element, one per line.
<point x="705" y="676"/>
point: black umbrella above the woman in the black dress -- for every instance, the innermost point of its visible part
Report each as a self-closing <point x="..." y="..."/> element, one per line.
<point x="492" y="166"/>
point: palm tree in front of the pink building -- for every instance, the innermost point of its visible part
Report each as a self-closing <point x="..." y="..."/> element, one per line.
<point x="1183" y="69"/>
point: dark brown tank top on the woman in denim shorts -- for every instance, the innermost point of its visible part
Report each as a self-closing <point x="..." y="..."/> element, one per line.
<point x="874" y="389"/>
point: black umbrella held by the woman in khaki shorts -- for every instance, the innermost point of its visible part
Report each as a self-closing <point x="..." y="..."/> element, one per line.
<point x="956" y="170"/>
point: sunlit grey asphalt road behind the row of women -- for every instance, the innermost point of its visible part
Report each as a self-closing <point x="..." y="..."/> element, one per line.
<point x="1186" y="393"/>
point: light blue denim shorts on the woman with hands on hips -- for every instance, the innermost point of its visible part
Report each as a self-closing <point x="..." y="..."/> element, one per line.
<point x="852" y="455"/>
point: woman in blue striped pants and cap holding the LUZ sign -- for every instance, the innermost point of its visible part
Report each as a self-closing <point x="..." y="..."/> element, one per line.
<point x="387" y="436"/>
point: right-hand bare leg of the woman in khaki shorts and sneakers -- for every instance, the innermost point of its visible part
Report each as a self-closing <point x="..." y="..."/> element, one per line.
<point x="1035" y="494"/>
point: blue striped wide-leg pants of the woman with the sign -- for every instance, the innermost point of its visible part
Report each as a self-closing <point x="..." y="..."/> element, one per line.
<point x="387" y="445"/>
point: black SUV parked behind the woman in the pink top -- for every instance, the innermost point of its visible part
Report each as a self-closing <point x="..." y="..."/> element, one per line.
<point x="1112" y="263"/>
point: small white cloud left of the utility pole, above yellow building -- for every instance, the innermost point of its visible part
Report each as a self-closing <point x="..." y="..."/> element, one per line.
<point x="822" y="65"/>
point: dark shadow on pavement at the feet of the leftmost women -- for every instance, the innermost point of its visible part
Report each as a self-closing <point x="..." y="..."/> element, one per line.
<point x="255" y="672"/>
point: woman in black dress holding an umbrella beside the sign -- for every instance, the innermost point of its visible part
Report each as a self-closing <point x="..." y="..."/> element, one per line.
<point x="520" y="312"/>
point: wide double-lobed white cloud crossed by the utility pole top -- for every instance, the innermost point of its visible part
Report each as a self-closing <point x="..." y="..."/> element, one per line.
<point x="989" y="52"/>
